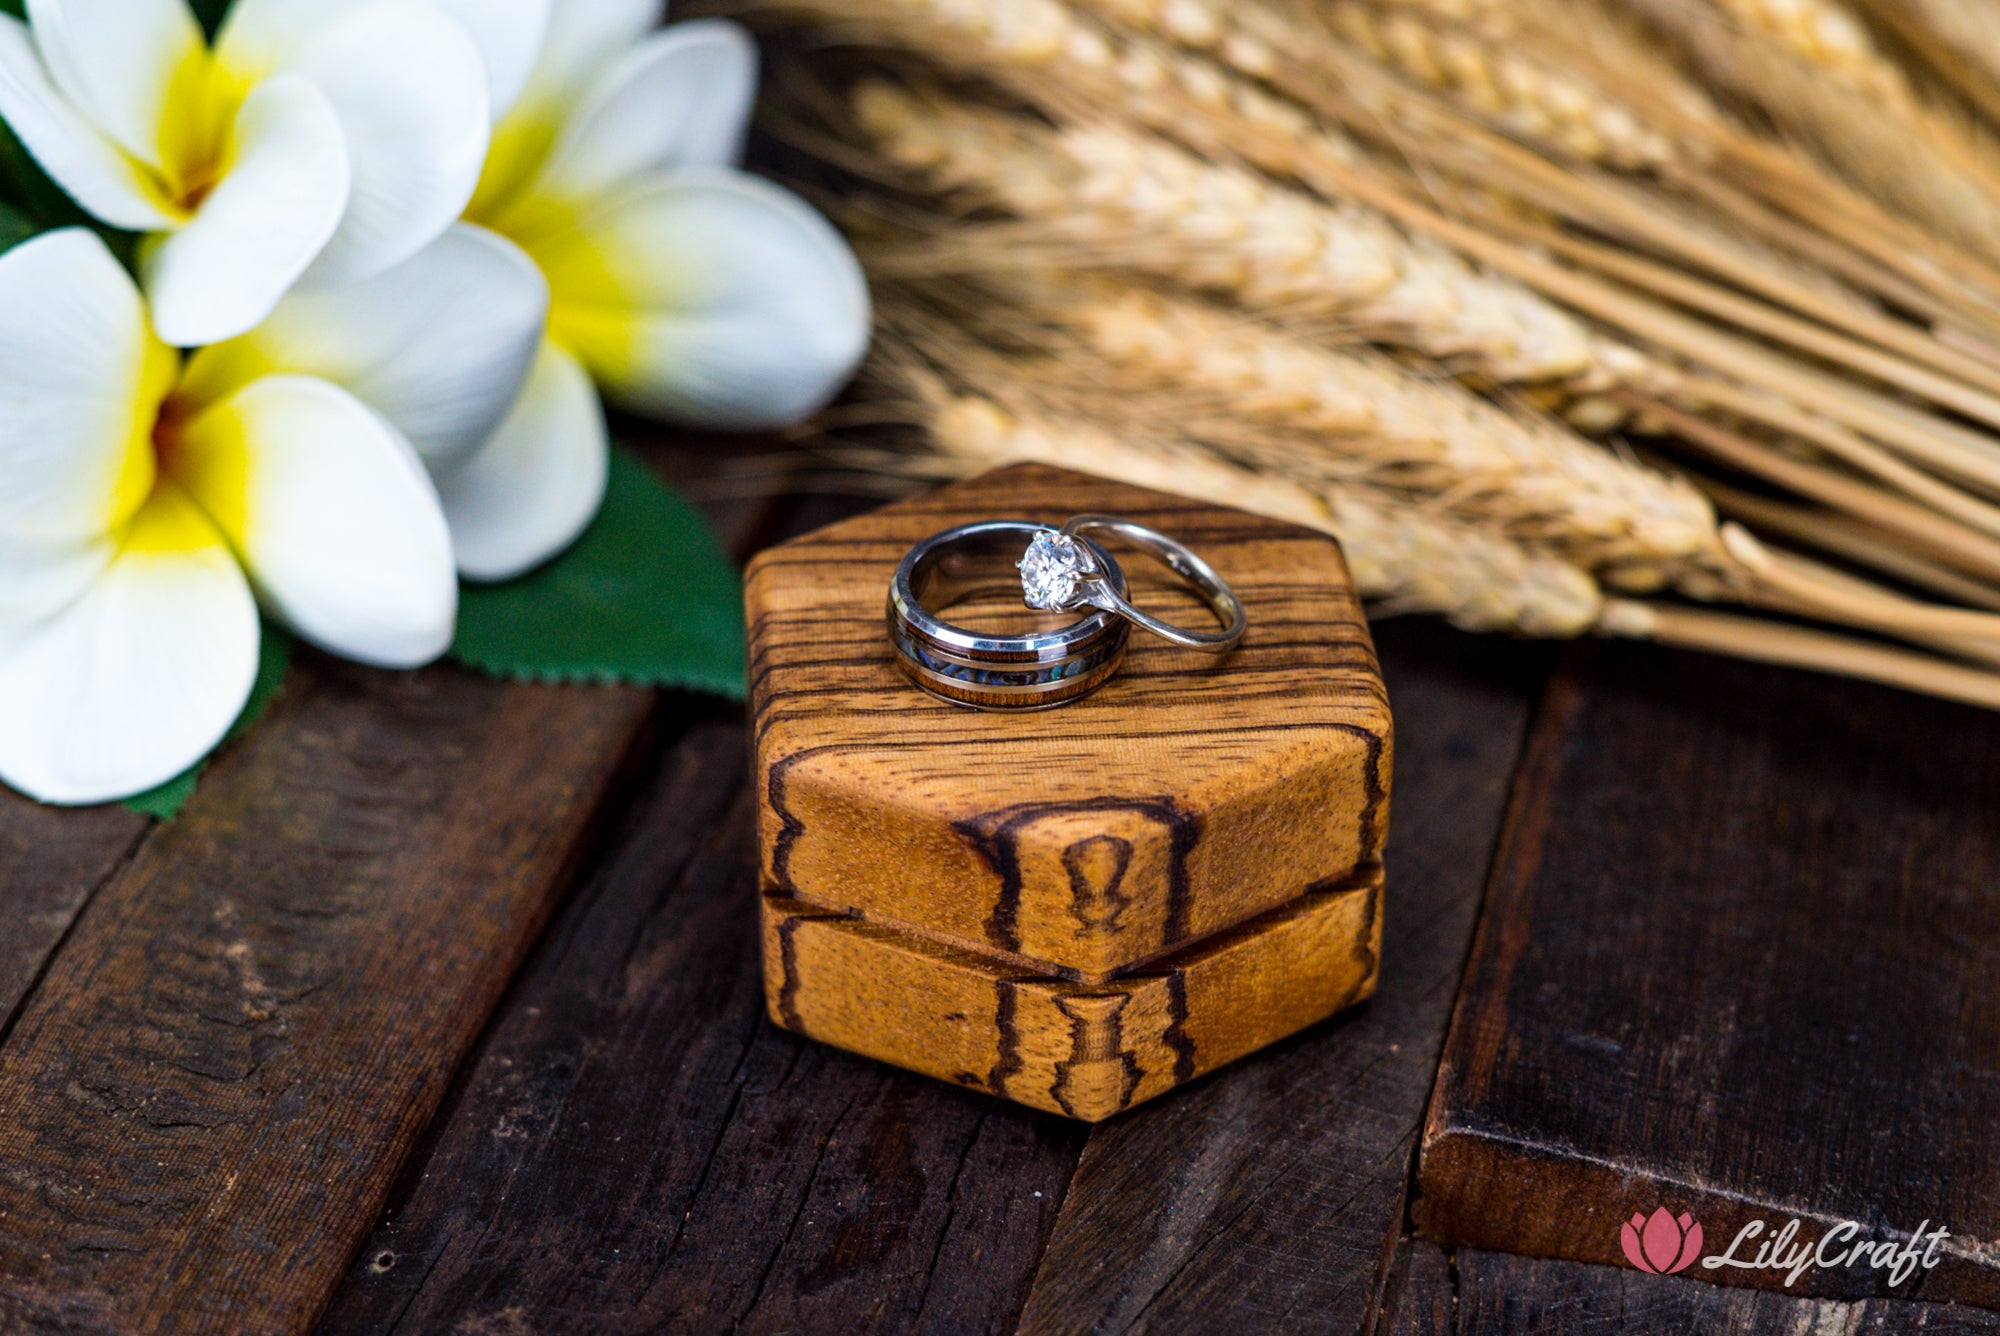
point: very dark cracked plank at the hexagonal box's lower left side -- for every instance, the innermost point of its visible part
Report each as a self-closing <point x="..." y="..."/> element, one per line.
<point x="637" y="1149"/>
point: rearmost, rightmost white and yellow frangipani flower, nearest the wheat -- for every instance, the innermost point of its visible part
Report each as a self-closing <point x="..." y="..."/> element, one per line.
<point x="685" y="287"/>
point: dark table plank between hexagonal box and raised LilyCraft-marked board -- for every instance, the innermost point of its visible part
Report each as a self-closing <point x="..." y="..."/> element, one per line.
<point x="1267" y="1197"/>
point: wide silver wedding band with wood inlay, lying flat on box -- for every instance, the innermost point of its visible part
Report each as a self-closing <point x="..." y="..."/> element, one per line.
<point x="985" y="671"/>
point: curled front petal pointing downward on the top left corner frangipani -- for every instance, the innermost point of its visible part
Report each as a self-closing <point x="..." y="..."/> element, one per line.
<point x="265" y="223"/>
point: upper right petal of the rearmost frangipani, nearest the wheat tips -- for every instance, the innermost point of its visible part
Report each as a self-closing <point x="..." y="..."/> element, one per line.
<point x="681" y="99"/>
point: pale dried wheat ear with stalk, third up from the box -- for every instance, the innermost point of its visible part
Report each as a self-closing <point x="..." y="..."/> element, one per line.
<point x="1121" y="197"/>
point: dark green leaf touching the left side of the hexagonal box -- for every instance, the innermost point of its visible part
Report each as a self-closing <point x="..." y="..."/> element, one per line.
<point x="645" y="597"/>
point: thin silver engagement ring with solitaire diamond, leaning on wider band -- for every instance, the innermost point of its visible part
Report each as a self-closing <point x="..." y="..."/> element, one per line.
<point x="1061" y="573"/>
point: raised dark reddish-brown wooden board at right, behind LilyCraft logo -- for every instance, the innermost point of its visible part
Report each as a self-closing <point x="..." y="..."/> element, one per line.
<point x="1743" y="959"/>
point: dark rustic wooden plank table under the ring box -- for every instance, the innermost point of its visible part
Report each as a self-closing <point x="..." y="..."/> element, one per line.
<point x="439" y="1013"/>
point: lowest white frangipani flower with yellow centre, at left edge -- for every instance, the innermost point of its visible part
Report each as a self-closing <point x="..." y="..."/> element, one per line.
<point x="151" y="503"/>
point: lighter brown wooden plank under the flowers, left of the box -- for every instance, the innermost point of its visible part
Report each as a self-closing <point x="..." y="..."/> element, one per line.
<point x="205" y="1099"/>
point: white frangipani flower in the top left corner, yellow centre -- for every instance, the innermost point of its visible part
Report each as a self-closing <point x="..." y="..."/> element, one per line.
<point x="317" y="141"/>
